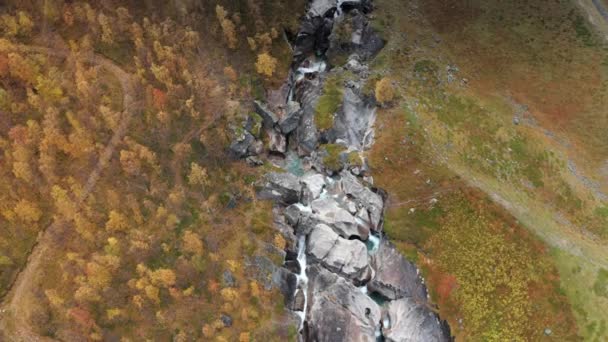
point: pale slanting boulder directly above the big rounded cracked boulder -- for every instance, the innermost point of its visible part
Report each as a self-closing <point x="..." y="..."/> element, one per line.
<point x="328" y="211"/>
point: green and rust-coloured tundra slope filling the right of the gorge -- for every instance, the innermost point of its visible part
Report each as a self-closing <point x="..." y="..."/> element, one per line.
<point x="494" y="156"/>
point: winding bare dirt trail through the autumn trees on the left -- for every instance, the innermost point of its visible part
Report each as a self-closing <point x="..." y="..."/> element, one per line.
<point x="14" y="303"/>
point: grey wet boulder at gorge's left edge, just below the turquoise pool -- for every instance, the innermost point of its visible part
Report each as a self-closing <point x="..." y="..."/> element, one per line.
<point x="283" y="187"/>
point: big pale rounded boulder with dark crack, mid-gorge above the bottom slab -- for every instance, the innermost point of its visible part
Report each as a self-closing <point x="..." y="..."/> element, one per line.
<point x="346" y="257"/>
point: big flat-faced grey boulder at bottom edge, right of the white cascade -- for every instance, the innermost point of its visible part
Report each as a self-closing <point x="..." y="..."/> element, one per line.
<point x="338" y="311"/>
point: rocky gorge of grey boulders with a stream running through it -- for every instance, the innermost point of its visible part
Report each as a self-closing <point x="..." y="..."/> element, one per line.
<point x="342" y="278"/>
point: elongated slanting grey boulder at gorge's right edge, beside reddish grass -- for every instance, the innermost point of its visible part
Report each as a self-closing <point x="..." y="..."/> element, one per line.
<point x="364" y="196"/>
